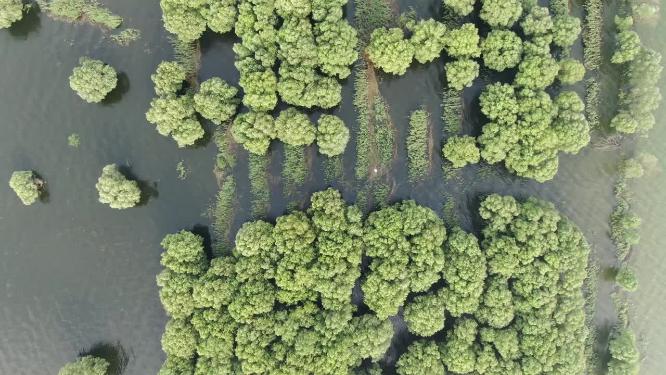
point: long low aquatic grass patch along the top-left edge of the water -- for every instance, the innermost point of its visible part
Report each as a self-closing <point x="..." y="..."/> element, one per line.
<point x="81" y="11"/>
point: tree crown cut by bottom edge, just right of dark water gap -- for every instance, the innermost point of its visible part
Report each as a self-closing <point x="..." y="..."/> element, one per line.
<point x="421" y="358"/>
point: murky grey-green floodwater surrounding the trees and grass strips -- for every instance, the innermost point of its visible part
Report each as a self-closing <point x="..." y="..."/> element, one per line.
<point x="78" y="275"/>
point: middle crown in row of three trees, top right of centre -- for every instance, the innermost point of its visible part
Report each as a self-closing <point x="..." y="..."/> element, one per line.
<point x="428" y="38"/>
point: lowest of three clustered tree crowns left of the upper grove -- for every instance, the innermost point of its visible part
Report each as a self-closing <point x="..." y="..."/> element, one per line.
<point x="175" y="117"/>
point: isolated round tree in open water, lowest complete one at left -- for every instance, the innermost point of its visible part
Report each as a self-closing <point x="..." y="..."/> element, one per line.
<point x="116" y="190"/>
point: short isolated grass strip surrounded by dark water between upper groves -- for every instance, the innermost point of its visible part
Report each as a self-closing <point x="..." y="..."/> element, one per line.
<point x="417" y="145"/>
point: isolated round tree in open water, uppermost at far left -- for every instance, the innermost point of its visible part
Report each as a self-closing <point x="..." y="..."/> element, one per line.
<point x="93" y="80"/>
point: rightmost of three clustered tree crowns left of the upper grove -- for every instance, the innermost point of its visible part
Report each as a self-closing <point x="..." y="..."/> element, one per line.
<point x="216" y="100"/>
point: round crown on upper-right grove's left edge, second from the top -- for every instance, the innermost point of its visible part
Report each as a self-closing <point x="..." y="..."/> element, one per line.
<point x="502" y="49"/>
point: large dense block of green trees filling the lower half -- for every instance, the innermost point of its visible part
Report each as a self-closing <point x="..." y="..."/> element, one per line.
<point x="281" y="301"/>
